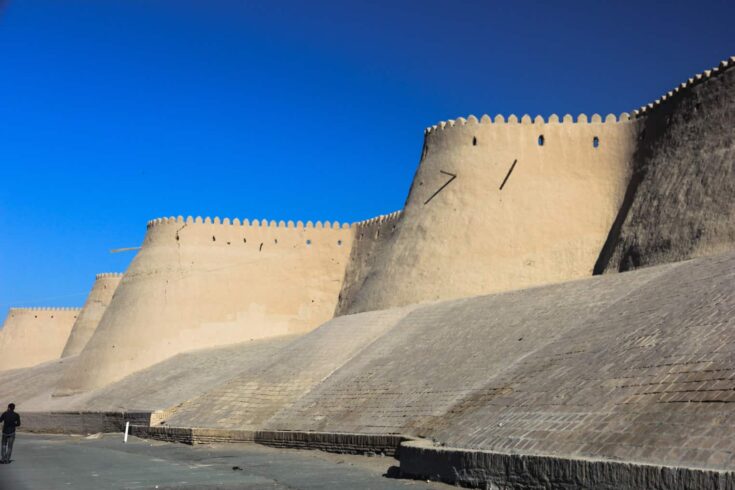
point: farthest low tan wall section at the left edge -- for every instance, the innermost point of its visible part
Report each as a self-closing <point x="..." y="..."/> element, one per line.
<point x="34" y="335"/>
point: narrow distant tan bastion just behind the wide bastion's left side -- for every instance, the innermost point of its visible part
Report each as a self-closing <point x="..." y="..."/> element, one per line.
<point x="97" y="300"/>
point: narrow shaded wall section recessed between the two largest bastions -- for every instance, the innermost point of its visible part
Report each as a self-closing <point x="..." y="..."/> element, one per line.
<point x="370" y="236"/>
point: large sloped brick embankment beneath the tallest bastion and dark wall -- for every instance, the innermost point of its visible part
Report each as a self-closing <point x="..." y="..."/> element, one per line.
<point x="620" y="369"/>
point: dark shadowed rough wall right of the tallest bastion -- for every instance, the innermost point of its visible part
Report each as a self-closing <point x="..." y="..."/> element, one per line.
<point x="680" y="201"/>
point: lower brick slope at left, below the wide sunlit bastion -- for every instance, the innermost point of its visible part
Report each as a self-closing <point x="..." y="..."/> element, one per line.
<point x="151" y="392"/>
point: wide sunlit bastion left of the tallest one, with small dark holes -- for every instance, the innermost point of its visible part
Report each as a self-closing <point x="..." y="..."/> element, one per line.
<point x="200" y="284"/>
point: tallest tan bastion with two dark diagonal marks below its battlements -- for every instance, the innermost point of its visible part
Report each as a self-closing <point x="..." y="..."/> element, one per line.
<point x="498" y="206"/>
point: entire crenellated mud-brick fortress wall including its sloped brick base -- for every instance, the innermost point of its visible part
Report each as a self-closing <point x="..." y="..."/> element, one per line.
<point x="470" y="317"/>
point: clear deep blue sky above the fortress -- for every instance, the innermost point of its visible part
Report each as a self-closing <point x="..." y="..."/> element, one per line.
<point x="116" y="112"/>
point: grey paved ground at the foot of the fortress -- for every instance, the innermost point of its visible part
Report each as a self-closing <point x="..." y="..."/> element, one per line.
<point x="51" y="462"/>
